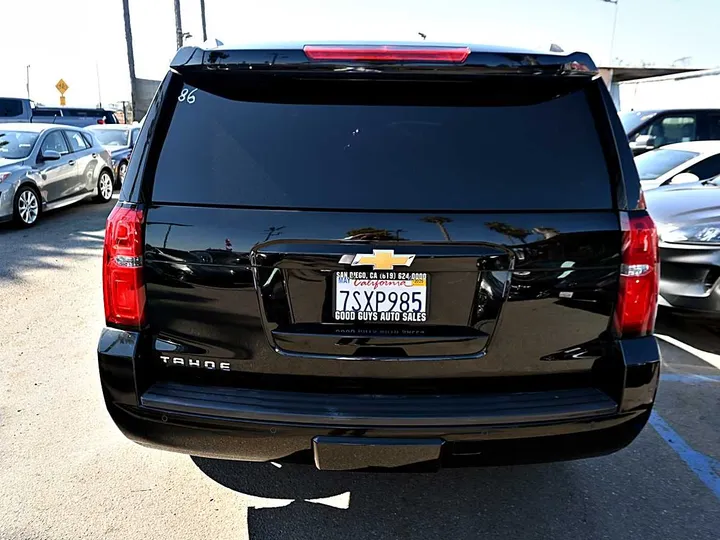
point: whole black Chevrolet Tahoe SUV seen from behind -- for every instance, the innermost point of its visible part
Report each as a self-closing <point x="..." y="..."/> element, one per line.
<point x="332" y="254"/>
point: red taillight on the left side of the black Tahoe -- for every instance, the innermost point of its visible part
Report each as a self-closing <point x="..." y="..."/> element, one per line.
<point x="123" y="285"/>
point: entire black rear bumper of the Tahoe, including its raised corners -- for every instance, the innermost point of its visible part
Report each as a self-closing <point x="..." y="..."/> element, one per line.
<point x="258" y="425"/>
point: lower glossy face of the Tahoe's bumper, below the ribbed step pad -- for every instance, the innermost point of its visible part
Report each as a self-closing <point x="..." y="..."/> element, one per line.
<point x="469" y="446"/>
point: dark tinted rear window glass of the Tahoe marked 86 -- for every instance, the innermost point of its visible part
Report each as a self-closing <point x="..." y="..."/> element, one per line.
<point x="222" y="150"/>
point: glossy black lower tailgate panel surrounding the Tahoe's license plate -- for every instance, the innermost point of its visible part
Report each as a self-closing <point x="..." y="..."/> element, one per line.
<point x="202" y="298"/>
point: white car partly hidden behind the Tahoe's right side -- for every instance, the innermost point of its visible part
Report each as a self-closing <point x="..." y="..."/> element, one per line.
<point x="679" y="163"/>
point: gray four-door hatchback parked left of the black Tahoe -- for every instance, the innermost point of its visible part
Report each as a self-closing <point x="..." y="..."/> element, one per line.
<point x="46" y="166"/>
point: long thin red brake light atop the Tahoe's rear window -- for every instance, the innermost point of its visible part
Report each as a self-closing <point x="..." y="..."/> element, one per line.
<point x="386" y="53"/>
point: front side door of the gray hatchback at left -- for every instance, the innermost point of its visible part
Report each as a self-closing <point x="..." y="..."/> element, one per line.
<point x="57" y="176"/>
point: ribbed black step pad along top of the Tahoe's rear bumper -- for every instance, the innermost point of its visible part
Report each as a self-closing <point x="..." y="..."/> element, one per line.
<point x="379" y="411"/>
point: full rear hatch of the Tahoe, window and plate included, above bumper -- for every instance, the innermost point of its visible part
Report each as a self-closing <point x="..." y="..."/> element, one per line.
<point x="383" y="225"/>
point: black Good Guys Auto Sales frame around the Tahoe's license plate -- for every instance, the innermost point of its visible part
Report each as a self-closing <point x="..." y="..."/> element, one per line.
<point x="410" y="317"/>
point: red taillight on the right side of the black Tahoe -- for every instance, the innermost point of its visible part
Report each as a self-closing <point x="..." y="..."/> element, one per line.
<point x="637" y="298"/>
